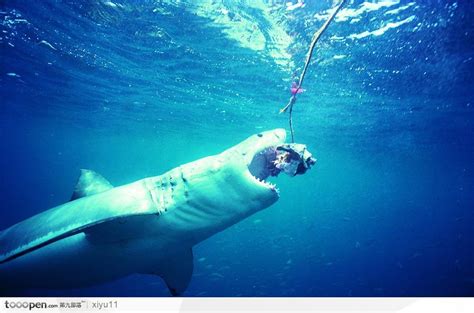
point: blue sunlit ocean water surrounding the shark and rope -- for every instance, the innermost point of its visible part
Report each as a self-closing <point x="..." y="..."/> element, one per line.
<point x="131" y="89"/>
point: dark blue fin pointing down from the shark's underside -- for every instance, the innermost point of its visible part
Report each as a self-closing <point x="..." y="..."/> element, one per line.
<point x="177" y="271"/>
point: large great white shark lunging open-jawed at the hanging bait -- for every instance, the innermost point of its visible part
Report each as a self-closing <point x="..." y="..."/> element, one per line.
<point x="149" y="226"/>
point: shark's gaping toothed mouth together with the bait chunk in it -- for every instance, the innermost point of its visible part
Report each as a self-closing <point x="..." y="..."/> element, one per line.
<point x="292" y="159"/>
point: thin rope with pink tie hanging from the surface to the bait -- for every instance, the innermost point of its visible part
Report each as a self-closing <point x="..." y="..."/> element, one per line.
<point x="315" y="39"/>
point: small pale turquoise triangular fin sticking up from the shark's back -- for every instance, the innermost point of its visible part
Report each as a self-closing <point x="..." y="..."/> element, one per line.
<point x="90" y="183"/>
